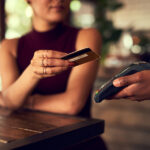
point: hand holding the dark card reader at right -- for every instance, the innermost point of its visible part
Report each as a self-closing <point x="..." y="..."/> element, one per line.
<point x="138" y="86"/>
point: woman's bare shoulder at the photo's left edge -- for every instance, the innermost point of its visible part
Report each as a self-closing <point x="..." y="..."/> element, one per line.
<point x="9" y="46"/>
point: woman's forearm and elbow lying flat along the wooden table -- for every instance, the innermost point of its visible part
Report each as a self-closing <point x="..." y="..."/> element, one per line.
<point x="62" y="103"/>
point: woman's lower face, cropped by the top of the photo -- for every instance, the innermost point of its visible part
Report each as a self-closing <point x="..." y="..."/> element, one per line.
<point x="50" y="10"/>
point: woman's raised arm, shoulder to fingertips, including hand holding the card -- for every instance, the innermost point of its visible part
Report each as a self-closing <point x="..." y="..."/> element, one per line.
<point x="15" y="87"/>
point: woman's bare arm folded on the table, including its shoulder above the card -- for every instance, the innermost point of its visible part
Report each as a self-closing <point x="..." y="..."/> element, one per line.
<point x="79" y="84"/>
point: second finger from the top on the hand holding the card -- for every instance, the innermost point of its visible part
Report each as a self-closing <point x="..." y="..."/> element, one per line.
<point x="46" y="62"/>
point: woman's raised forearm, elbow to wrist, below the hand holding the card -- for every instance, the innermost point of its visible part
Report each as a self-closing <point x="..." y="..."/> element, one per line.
<point x="15" y="95"/>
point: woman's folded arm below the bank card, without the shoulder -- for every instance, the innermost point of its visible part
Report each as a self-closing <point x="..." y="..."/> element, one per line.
<point x="74" y="98"/>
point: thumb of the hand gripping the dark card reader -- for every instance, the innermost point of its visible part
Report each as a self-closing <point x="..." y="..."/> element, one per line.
<point x="127" y="80"/>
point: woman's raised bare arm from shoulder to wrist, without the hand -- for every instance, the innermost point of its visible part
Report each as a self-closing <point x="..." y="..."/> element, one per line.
<point x="15" y="88"/>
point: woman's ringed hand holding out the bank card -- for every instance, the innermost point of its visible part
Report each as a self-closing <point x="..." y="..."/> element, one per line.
<point x="47" y="63"/>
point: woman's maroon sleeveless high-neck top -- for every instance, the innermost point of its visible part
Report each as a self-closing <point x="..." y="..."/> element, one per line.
<point x="63" y="39"/>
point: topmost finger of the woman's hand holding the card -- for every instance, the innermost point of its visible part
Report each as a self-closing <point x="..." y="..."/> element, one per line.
<point x="48" y="54"/>
